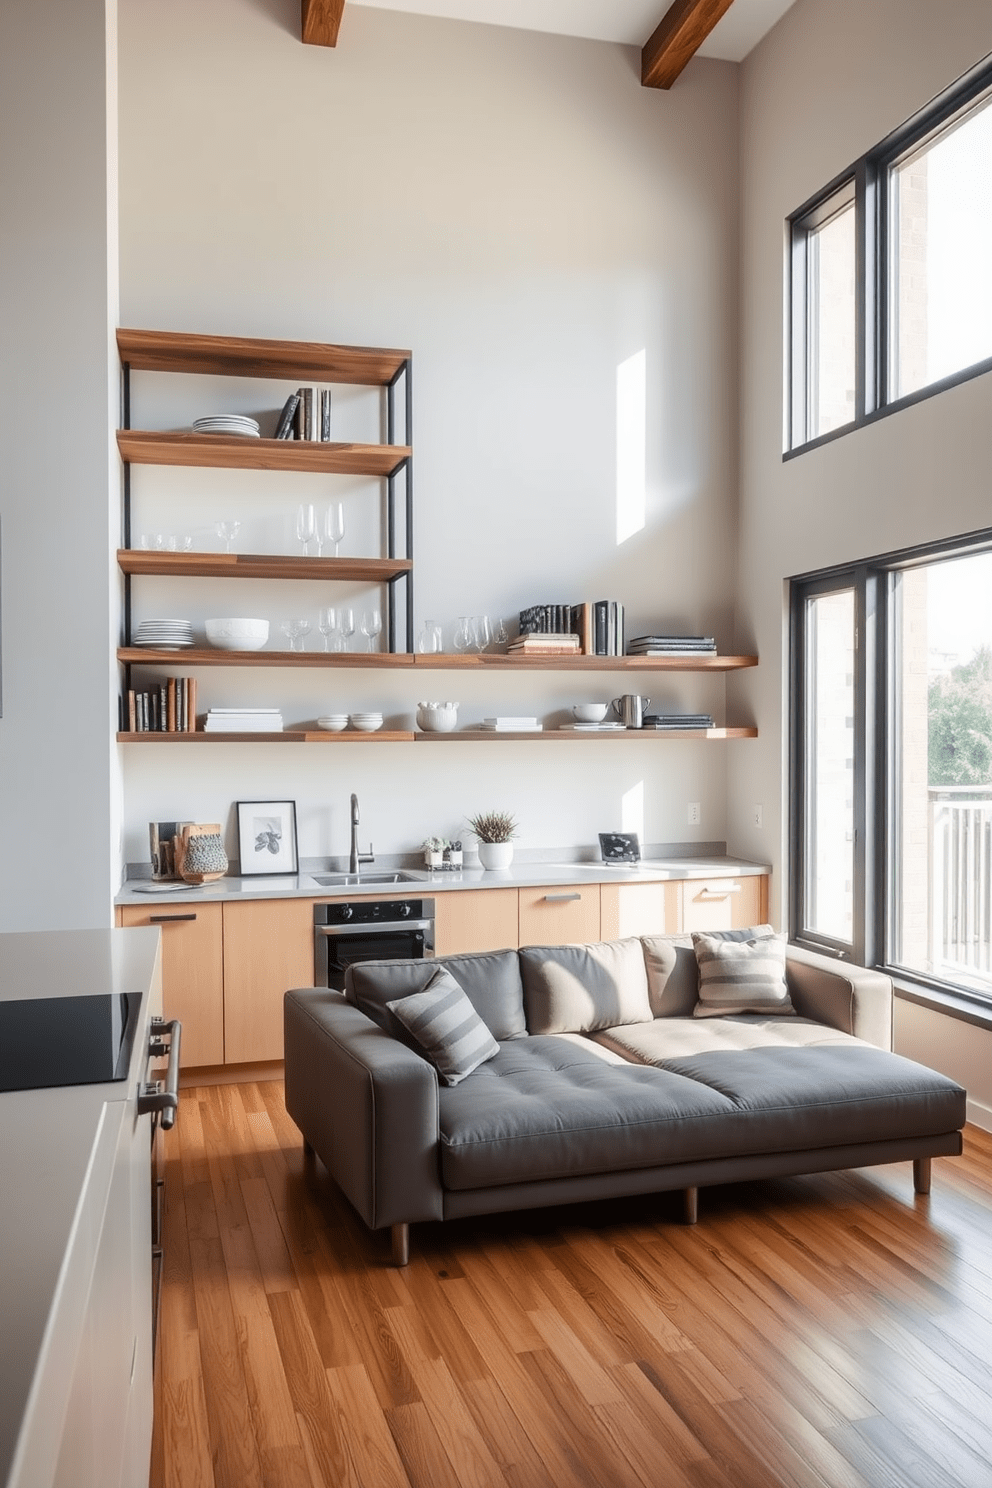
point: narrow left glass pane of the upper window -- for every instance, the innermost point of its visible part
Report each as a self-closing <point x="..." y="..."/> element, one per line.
<point x="831" y="340"/>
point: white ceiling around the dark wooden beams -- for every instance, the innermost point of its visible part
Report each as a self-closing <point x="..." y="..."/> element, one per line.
<point x="630" y="22"/>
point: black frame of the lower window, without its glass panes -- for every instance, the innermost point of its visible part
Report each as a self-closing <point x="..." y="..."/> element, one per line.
<point x="877" y="673"/>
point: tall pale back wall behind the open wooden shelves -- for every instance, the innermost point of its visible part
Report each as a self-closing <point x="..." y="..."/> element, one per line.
<point x="524" y="217"/>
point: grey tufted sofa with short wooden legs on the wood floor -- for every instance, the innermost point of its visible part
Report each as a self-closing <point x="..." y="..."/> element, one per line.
<point x="606" y="1083"/>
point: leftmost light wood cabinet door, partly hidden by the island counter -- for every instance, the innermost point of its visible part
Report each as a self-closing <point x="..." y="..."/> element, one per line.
<point x="193" y="974"/>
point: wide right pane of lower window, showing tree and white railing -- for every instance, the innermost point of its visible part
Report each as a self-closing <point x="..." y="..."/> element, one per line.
<point x="942" y="895"/>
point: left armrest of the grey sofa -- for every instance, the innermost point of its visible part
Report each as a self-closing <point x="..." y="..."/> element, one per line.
<point x="368" y="1105"/>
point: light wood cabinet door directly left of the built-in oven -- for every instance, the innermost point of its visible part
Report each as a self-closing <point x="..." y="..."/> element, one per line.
<point x="268" y="950"/>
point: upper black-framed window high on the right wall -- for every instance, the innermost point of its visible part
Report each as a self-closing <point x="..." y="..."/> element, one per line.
<point x="890" y="285"/>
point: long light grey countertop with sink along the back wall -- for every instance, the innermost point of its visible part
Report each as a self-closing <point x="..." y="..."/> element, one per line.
<point x="422" y="882"/>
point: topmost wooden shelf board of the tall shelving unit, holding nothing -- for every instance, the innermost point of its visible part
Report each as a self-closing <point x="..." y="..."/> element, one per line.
<point x="246" y="356"/>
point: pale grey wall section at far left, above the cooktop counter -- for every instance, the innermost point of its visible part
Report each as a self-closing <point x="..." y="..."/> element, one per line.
<point x="59" y="487"/>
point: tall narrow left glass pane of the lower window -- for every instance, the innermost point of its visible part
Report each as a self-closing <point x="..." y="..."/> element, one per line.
<point x="829" y="766"/>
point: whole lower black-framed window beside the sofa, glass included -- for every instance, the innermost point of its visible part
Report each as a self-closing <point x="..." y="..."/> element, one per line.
<point x="893" y="766"/>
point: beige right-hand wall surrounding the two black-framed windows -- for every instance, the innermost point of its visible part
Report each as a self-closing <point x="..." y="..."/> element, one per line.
<point x="829" y="83"/>
